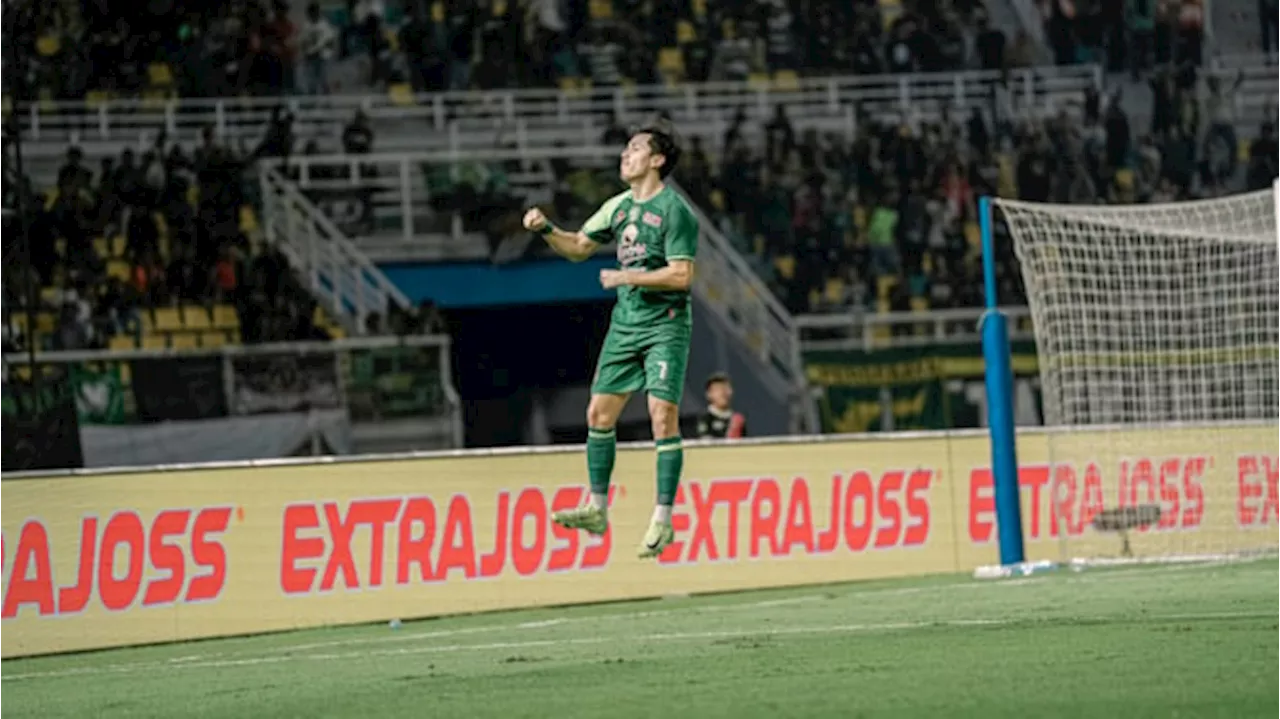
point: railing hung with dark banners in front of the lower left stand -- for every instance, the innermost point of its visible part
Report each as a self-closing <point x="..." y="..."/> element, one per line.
<point x="400" y="386"/>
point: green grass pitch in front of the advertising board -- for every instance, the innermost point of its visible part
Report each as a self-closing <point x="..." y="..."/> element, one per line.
<point x="1174" y="642"/>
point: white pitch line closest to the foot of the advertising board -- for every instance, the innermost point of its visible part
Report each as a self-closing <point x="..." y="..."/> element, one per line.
<point x="264" y="656"/>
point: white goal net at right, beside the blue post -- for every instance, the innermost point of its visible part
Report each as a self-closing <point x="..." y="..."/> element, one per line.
<point x="1159" y="341"/>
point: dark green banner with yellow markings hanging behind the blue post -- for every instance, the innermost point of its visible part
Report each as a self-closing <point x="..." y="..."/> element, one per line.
<point x="932" y="387"/>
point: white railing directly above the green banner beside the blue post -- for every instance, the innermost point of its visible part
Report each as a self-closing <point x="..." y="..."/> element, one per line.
<point x="879" y="331"/>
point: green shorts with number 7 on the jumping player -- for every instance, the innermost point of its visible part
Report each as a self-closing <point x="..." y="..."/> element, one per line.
<point x="651" y="359"/>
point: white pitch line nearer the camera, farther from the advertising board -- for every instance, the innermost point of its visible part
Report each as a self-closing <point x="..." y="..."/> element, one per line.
<point x="179" y="666"/>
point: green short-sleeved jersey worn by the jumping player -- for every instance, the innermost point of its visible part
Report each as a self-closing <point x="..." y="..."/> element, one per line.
<point x="650" y="236"/>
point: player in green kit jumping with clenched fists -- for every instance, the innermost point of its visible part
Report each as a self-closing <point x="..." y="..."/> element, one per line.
<point x="647" y="346"/>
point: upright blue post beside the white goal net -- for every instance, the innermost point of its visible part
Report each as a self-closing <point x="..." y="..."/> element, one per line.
<point x="1000" y="402"/>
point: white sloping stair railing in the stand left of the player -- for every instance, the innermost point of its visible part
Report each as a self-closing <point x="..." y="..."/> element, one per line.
<point x="341" y="277"/>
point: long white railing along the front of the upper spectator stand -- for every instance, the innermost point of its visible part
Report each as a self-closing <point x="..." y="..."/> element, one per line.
<point x="536" y="118"/>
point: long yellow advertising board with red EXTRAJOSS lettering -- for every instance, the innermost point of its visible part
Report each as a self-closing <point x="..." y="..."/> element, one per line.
<point x="92" y="561"/>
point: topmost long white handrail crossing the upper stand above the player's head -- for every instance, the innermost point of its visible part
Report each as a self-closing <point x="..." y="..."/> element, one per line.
<point x="479" y="115"/>
